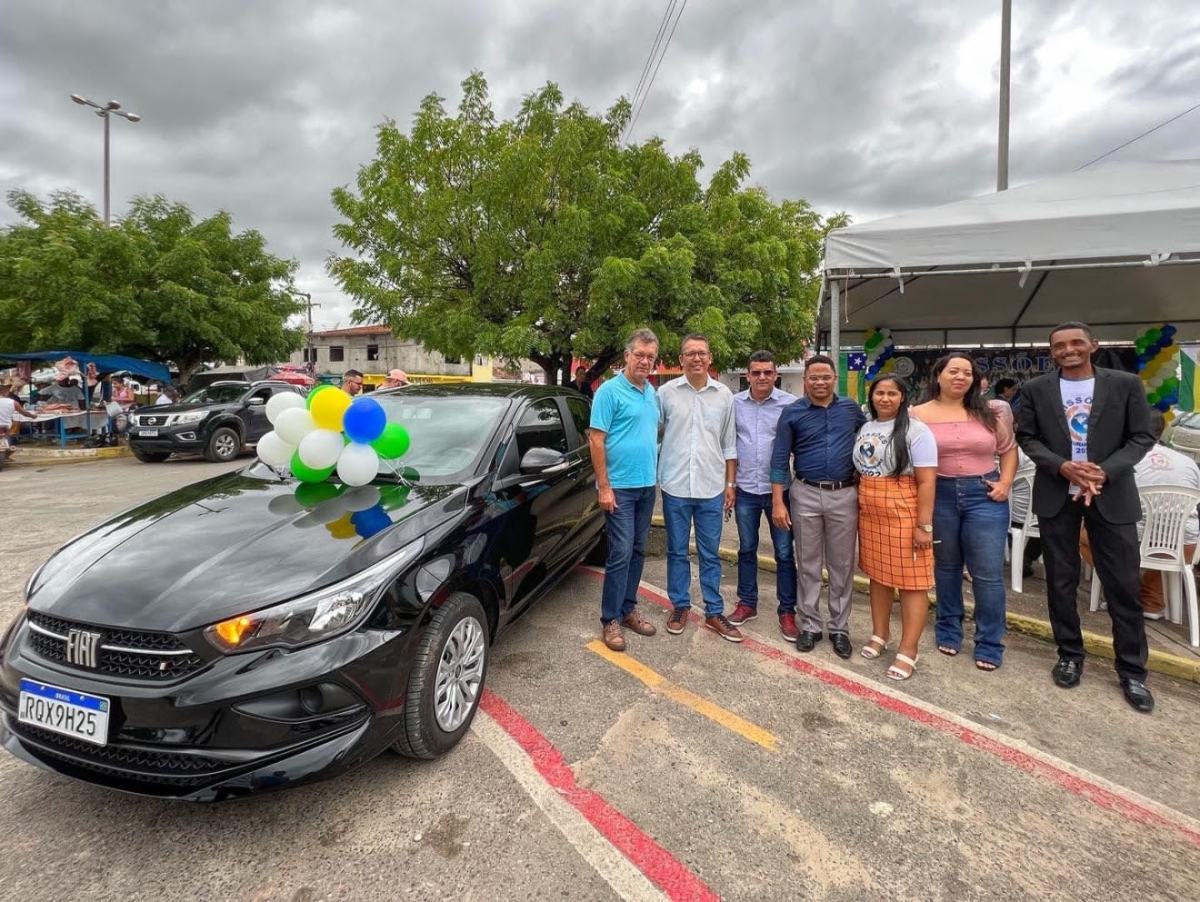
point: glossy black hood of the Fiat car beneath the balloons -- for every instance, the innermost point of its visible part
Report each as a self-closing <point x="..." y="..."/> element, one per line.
<point x="232" y="545"/>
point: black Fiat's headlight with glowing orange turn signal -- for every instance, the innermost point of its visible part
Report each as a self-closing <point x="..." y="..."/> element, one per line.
<point x="311" y="618"/>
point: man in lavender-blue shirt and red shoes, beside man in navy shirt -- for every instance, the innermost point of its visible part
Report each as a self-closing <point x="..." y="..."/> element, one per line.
<point x="757" y="414"/>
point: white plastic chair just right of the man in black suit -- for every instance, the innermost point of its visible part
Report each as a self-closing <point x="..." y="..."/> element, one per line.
<point x="1166" y="510"/>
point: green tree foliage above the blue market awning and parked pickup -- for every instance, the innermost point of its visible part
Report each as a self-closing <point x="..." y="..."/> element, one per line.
<point x="158" y="285"/>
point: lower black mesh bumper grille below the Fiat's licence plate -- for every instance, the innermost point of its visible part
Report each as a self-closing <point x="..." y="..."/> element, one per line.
<point x="121" y="762"/>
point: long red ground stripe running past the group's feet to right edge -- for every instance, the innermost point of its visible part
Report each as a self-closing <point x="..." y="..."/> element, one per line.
<point x="1071" y="783"/>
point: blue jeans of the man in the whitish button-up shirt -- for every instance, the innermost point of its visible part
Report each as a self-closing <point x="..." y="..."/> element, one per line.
<point x="680" y="515"/>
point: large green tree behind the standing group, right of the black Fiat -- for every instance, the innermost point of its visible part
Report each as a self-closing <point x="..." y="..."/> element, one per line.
<point x="544" y="237"/>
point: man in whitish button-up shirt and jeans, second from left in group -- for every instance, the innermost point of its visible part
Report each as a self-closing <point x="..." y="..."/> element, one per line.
<point x="697" y="468"/>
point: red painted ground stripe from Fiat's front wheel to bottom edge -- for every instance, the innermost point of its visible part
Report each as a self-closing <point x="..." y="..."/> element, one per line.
<point x="661" y="867"/>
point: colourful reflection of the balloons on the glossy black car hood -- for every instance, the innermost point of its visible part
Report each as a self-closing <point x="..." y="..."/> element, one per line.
<point x="345" y="513"/>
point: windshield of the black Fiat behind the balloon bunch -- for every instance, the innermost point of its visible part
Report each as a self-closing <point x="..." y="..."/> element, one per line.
<point x="446" y="434"/>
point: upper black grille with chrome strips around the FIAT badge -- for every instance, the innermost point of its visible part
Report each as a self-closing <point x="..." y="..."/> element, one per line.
<point x="131" y="654"/>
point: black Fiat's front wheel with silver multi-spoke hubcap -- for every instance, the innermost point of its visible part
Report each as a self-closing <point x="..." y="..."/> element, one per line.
<point x="447" y="682"/>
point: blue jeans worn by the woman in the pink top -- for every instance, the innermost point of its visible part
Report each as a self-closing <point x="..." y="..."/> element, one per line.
<point x="971" y="530"/>
